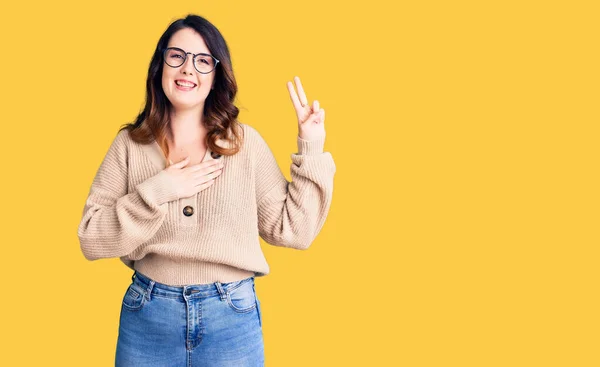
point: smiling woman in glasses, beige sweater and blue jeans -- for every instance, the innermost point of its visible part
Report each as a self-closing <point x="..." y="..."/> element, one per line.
<point x="190" y="229"/>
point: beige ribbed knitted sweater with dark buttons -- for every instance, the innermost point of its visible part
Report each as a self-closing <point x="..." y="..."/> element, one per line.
<point x="133" y="211"/>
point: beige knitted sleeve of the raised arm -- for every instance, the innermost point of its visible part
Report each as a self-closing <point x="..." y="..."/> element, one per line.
<point x="291" y="214"/>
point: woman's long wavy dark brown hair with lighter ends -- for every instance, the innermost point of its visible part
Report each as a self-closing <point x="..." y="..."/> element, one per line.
<point x="220" y="114"/>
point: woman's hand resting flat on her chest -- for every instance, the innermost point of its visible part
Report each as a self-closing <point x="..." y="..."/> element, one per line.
<point x="190" y="180"/>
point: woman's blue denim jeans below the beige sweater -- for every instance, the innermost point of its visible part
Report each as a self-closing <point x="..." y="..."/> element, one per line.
<point x="217" y="324"/>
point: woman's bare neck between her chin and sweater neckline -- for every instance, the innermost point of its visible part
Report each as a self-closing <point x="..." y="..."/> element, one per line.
<point x="186" y="127"/>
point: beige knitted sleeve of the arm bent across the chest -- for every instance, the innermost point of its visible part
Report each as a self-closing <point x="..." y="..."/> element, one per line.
<point x="116" y="222"/>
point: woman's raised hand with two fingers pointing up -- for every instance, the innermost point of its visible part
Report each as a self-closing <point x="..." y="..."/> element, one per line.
<point x="311" y="118"/>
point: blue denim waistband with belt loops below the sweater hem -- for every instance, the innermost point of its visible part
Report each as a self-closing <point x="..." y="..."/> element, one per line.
<point x="151" y="287"/>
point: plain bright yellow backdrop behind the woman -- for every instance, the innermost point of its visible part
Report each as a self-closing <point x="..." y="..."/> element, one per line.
<point x="464" y="224"/>
